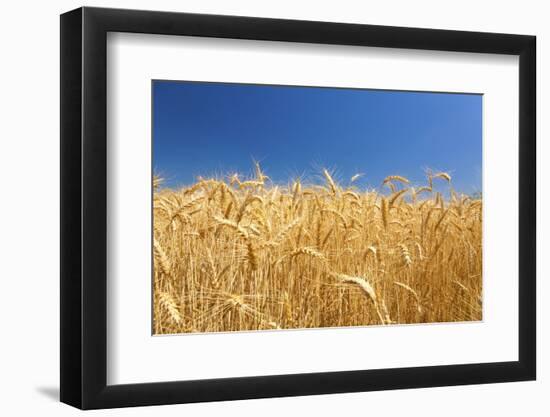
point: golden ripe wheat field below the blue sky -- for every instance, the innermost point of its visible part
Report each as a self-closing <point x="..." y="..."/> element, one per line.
<point x="234" y="254"/>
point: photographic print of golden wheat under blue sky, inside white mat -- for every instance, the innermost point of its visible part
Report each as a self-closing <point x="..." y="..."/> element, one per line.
<point x="294" y="207"/>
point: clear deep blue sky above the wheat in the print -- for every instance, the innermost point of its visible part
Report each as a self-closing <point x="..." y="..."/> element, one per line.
<point x="217" y="128"/>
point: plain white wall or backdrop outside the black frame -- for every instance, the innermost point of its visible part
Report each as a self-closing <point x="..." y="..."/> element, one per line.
<point x="29" y="213"/>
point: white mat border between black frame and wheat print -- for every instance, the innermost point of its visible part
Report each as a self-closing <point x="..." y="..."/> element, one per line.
<point x="133" y="60"/>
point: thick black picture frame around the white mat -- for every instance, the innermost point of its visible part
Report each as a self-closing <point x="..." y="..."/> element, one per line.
<point x="84" y="207"/>
